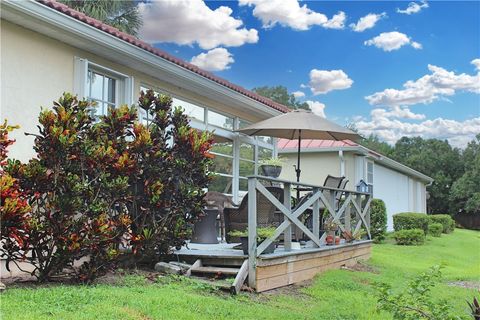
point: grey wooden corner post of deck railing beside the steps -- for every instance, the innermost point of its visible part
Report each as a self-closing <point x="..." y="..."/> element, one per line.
<point x="252" y="231"/>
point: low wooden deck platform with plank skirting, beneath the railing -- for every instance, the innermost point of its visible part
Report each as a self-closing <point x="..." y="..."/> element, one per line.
<point x="280" y="268"/>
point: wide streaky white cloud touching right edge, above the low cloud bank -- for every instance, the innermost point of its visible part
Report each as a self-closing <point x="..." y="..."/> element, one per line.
<point x="439" y="84"/>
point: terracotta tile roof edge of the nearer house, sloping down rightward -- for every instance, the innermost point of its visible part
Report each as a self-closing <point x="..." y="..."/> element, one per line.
<point x="62" y="8"/>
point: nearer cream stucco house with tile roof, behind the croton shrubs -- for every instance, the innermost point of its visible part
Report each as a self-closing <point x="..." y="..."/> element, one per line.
<point x="48" y="48"/>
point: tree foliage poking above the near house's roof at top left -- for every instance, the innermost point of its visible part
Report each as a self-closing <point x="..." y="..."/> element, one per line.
<point x="121" y="14"/>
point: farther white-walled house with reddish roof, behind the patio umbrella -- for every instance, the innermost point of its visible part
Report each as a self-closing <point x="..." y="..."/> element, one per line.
<point x="400" y="187"/>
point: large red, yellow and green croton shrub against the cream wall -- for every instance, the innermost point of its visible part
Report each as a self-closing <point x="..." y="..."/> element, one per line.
<point x="98" y="187"/>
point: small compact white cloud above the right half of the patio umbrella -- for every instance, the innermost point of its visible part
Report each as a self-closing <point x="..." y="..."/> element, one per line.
<point x="323" y="81"/>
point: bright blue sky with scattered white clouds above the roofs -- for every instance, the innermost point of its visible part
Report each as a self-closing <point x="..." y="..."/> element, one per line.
<point x="269" y="47"/>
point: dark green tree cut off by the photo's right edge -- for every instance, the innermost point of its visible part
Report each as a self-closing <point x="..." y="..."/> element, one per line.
<point x="465" y="193"/>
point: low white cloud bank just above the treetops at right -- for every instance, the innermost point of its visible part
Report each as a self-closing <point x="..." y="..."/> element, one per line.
<point x="388" y="126"/>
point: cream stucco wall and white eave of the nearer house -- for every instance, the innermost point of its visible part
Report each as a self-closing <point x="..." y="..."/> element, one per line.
<point x="35" y="70"/>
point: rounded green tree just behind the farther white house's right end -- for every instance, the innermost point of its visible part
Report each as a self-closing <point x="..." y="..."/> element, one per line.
<point x="437" y="159"/>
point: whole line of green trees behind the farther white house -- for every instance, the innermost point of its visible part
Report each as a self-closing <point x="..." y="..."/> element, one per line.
<point x="456" y="172"/>
